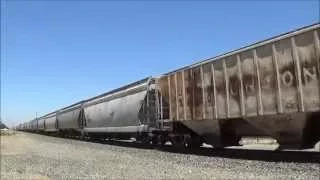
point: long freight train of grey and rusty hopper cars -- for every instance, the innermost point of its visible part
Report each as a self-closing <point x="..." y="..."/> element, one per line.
<point x="268" y="89"/>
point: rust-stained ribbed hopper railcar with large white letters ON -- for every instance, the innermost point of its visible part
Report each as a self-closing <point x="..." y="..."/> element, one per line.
<point x="270" y="88"/>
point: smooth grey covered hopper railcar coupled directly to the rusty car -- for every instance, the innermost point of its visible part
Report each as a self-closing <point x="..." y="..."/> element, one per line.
<point x="119" y="112"/>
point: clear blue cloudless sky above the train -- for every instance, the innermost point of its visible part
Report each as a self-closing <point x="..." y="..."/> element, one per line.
<point x="56" y="53"/>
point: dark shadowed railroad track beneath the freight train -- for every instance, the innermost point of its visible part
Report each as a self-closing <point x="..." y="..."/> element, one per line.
<point x="297" y="156"/>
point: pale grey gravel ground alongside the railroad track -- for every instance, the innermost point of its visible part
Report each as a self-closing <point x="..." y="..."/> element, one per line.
<point x="33" y="156"/>
